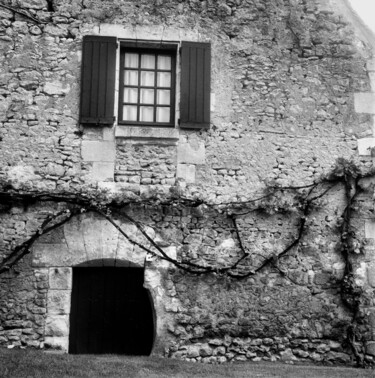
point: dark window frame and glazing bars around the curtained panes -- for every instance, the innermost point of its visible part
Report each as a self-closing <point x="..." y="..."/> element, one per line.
<point x="154" y="49"/>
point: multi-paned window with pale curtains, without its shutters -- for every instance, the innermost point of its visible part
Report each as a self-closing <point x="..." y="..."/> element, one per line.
<point x="147" y="87"/>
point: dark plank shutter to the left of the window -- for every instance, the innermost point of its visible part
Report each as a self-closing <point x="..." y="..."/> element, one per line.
<point x="98" y="80"/>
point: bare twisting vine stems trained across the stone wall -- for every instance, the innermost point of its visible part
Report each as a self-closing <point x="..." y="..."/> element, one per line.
<point x="346" y="174"/>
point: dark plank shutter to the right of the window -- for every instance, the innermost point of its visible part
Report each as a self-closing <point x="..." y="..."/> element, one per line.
<point x="195" y="85"/>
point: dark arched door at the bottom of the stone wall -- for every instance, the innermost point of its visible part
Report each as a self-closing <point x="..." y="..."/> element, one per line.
<point x="110" y="312"/>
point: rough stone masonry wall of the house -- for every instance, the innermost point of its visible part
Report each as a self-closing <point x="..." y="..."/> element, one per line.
<point x="292" y="91"/>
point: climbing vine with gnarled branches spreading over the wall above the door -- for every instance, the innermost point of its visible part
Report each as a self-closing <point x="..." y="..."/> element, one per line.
<point x="301" y="200"/>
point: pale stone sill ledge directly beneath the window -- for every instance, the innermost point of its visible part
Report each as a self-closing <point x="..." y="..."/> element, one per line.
<point x="147" y="132"/>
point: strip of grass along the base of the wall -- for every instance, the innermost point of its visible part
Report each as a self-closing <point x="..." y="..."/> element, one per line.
<point x="37" y="364"/>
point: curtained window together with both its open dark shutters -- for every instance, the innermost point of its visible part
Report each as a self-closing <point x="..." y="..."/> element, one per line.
<point x="147" y="83"/>
